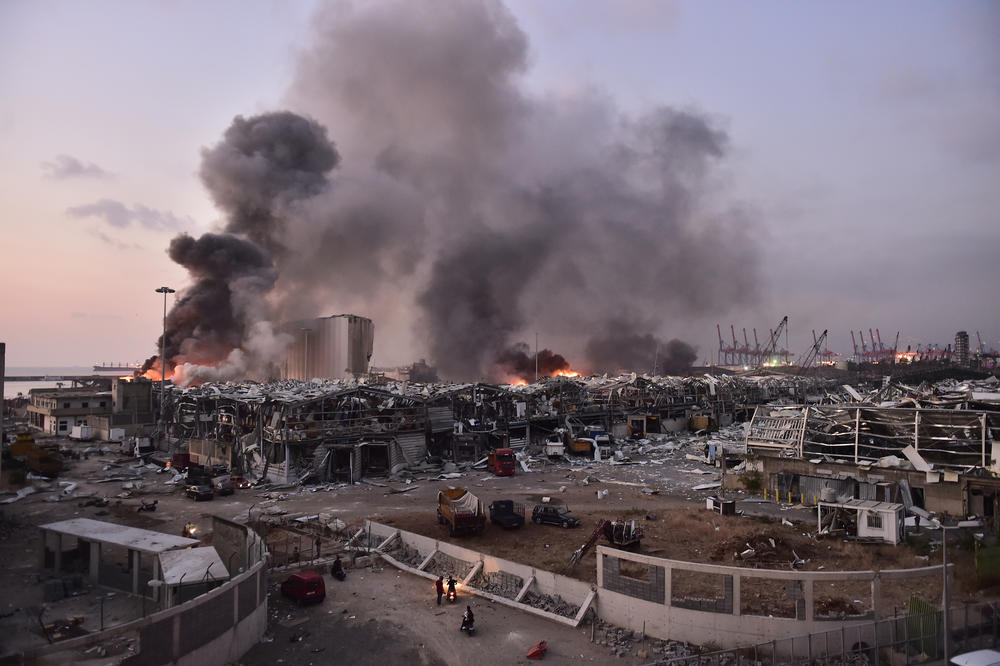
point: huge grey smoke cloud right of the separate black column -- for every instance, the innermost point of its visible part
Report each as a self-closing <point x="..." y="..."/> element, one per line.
<point x="523" y="213"/>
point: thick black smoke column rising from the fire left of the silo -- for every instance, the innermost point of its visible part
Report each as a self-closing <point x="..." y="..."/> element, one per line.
<point x="220" y="326"/>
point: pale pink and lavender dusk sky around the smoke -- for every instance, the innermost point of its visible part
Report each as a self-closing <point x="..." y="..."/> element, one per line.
<point x="863" y="155"/>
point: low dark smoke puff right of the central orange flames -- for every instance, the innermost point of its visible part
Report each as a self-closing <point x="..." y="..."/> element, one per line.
<point x="622" y="351"/>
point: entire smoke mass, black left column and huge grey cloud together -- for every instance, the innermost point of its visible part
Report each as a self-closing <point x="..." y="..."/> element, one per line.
<point x="466" y="212"/>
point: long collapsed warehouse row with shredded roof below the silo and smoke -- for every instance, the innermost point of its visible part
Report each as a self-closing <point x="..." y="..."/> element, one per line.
<point x="343" y="430"/>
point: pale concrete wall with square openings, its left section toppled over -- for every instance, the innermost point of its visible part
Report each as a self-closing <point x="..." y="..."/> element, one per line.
<point x="645" y="601"/>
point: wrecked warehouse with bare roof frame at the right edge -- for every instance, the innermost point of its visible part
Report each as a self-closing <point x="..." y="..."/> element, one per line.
<point x="925" y="459"/>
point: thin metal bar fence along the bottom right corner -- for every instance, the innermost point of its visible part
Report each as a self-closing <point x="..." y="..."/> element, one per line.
<point x="907" y="639"/>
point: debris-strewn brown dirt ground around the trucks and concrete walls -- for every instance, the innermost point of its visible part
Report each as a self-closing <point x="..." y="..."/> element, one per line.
<point x="658" y="494"/>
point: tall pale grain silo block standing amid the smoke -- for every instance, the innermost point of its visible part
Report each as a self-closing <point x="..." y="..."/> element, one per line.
<point x="334" y="347"/>
